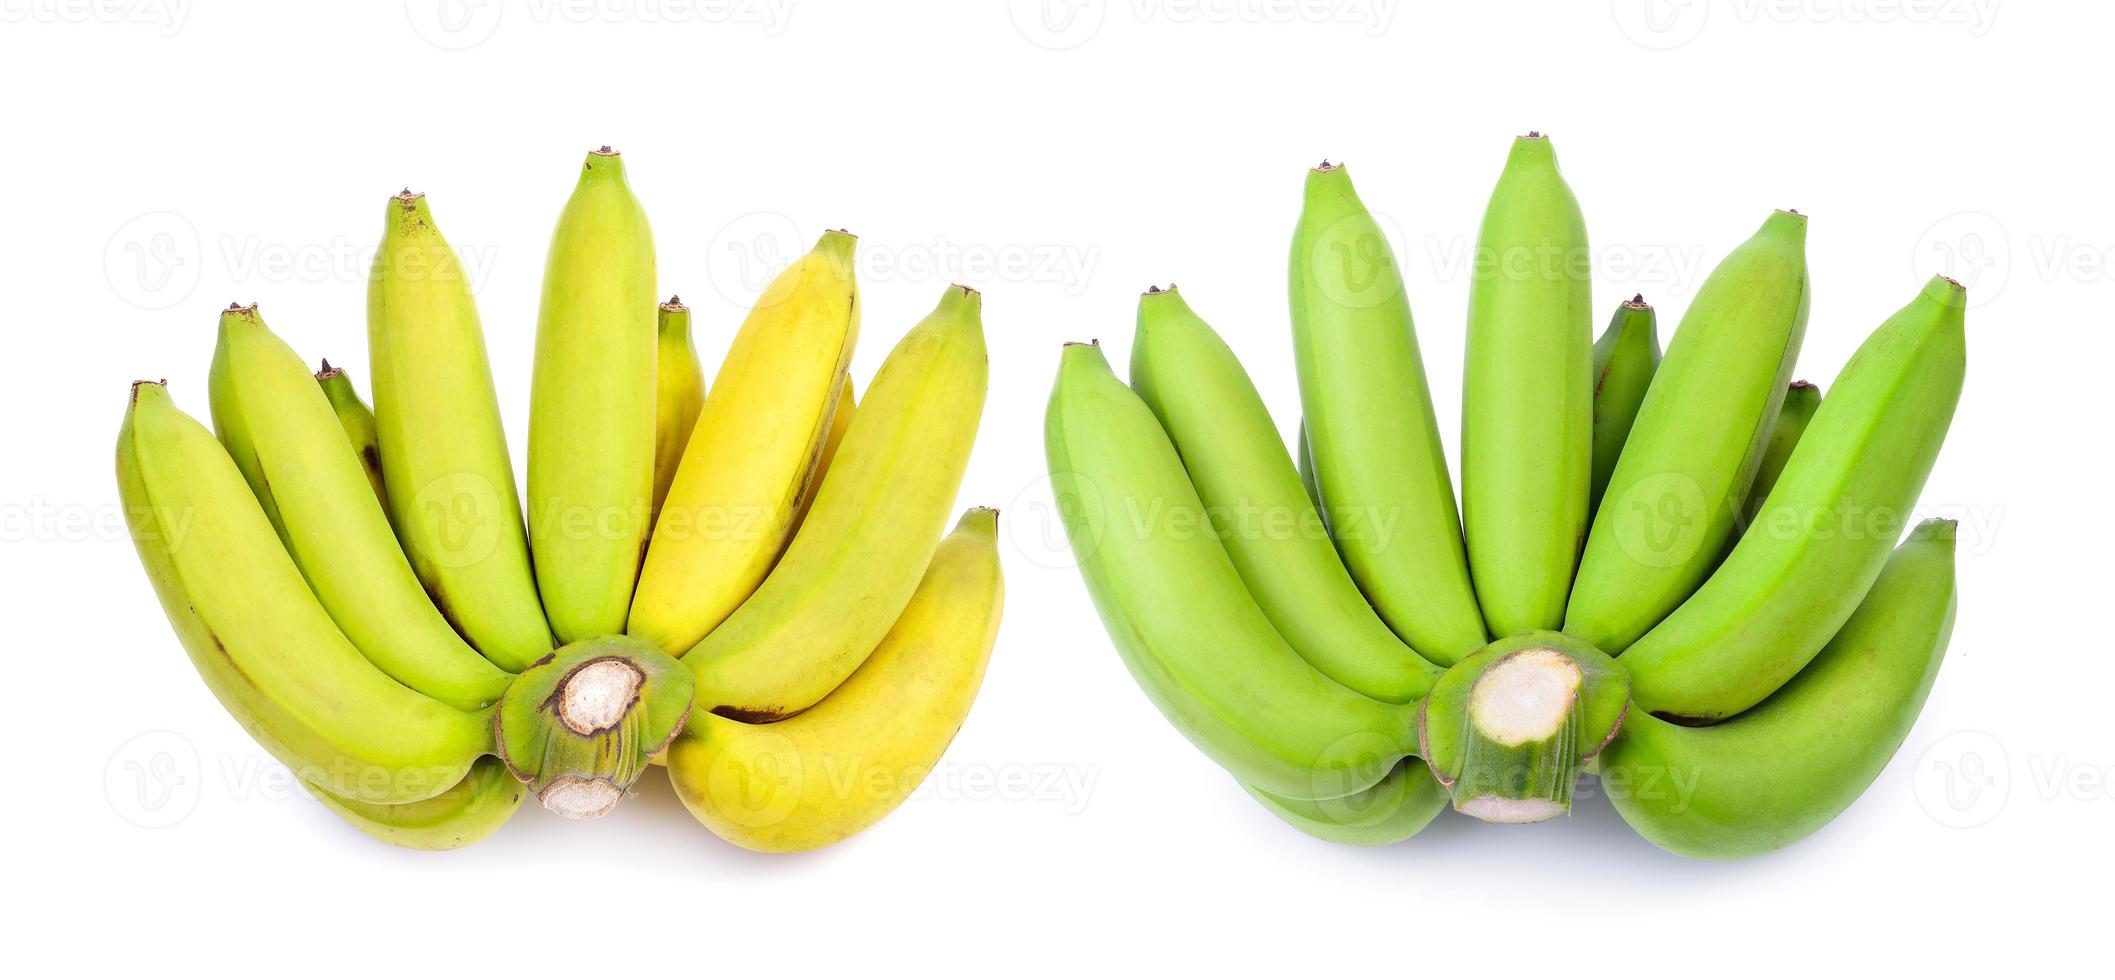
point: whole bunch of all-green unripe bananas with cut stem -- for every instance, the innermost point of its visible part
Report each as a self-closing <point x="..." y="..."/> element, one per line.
<point x="1718" y="731"/>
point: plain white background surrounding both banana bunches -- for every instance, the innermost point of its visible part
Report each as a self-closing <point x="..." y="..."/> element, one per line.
<point x="166" y="158"/>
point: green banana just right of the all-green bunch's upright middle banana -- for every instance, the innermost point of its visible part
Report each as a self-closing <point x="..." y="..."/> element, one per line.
<point x="1697" y="441"/>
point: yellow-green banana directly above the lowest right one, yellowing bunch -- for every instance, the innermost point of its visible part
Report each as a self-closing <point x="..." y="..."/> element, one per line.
<point x="877" y="520"/>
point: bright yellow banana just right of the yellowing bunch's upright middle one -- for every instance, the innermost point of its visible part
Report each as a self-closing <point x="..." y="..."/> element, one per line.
<point x="765" y="420"/>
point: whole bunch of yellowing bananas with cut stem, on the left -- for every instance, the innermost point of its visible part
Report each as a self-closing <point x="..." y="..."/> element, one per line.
<point x="367" y="594"/>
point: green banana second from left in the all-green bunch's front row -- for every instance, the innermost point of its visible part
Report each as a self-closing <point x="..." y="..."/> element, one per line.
<point x="1253" y="496"/>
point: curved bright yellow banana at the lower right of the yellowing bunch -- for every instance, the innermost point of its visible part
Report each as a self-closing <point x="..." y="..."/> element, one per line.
<point x="845" y="763"/>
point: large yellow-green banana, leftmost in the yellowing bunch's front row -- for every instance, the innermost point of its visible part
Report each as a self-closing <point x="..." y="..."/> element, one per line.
<point x="261" y="640"/>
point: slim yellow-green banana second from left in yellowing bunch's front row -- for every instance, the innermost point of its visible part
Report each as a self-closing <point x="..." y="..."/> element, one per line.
<point x="291" y="446"/>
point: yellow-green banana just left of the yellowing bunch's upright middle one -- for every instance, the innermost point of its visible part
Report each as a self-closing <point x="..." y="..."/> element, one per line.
<point x="445" y="454"/>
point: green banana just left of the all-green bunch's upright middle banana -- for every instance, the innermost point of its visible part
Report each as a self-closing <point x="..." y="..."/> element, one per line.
<point x="1376" y="441"/>
